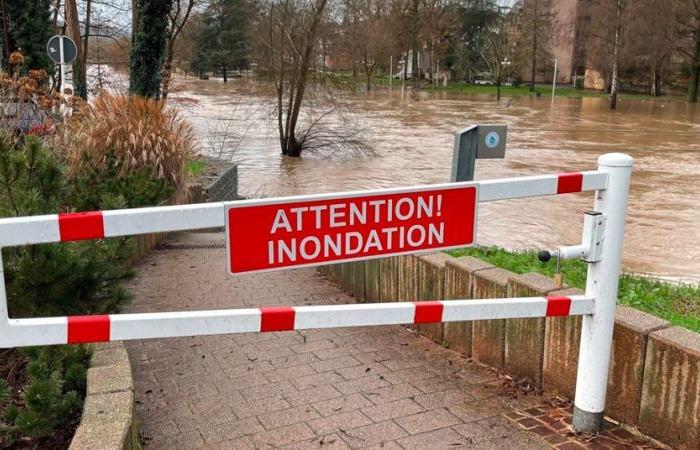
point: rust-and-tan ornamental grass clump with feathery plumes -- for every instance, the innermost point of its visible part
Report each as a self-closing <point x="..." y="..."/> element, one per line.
<point x="139" y="133"/>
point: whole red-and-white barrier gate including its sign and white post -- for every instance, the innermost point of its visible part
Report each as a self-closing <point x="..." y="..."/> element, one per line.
<point x="273" y="234"/>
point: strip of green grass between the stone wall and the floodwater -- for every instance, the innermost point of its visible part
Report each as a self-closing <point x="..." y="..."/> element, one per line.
<point x="679" y="303"/>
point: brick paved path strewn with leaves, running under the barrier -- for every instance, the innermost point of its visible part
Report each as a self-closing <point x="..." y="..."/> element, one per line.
<point x="381" y="387"/>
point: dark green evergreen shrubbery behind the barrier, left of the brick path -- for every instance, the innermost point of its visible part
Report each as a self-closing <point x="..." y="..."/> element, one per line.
<point x="49" y="280"/>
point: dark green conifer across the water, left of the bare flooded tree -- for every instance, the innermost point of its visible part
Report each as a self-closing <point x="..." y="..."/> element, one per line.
<point x="223" y="42"/>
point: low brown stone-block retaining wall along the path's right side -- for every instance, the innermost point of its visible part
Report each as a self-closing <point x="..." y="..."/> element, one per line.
<point x="654" y="381"/>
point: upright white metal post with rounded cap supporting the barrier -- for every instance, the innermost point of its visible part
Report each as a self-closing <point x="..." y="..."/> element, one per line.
<point x="601" y="284"/>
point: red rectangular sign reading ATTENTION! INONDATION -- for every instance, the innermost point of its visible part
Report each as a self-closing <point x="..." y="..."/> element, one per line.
<point x="271" y="234"/>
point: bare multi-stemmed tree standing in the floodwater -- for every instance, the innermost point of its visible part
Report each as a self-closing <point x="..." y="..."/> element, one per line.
<point x="289" y="34"/>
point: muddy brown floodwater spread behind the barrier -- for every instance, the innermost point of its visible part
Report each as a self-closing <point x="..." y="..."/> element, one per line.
<point x="411" y="136"/>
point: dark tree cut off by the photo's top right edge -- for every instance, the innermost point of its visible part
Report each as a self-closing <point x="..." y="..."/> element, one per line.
<point x="688" y="30"/>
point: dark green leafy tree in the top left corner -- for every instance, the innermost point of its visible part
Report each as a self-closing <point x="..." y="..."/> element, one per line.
<point x="29" y="29"/>
